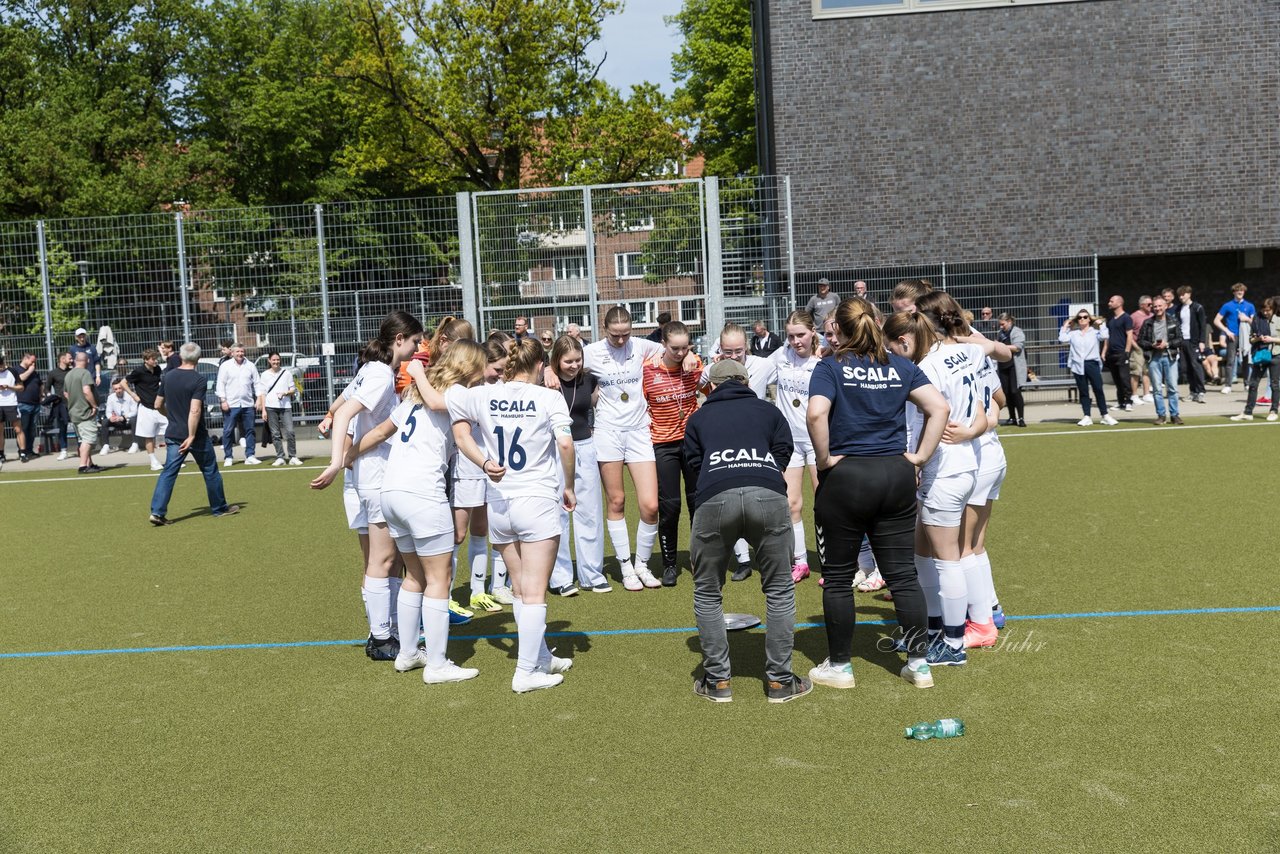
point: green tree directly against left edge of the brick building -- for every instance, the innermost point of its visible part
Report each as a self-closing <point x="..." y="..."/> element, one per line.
<point x="716" y="76"/>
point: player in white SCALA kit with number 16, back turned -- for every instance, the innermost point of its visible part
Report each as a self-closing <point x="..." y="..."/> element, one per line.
<point x="529" y="455"/>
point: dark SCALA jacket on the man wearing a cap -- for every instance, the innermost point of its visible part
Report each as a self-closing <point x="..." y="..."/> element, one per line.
<point x="737" y="440"/>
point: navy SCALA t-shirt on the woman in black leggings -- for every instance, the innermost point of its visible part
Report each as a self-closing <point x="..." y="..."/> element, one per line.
<point x="868" y="403"/>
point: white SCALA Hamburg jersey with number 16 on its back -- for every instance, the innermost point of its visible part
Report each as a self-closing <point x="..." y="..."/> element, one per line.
<point x="519" y="423"/>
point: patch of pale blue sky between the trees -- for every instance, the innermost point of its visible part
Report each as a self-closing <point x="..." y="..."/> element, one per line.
<point x="639" y="45"/>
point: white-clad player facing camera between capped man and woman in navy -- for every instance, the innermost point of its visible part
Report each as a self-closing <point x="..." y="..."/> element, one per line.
<point x="794" y="367"/>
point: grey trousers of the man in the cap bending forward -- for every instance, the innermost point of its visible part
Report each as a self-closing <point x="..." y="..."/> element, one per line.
<point x="762" y="518"/>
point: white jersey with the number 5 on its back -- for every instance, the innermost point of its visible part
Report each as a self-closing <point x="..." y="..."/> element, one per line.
<point x="420" y="450"/>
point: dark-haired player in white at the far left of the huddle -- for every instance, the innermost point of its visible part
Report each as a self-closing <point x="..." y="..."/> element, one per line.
<point x="369" y="401"/>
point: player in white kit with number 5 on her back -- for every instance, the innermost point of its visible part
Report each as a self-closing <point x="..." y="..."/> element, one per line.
<point x="415" y="504"/>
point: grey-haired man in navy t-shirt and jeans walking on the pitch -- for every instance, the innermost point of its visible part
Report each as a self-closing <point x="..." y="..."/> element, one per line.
<point x="182" y="400"/>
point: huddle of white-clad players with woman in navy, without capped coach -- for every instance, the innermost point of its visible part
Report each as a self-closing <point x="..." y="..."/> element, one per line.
<point x="514" y="449"/>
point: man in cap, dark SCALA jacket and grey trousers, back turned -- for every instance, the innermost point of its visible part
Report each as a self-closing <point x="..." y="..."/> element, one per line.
<point x="738" y="446"/>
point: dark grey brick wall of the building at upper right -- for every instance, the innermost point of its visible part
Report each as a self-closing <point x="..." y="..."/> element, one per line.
<point x="1116" y="127"/>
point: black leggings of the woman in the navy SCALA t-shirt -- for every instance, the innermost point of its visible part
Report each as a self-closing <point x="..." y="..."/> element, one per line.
<point x="872" y="496"/>
